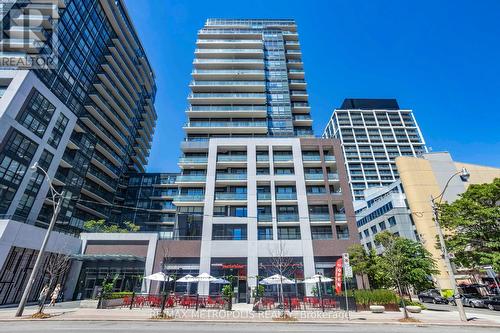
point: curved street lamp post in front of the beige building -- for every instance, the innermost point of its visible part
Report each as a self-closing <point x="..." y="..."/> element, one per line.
<point x="464" y="174"/>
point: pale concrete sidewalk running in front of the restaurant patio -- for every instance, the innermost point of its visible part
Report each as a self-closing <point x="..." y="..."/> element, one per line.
<point x="244" y="313"/>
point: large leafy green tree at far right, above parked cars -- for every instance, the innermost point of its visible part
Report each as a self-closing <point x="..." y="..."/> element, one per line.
<point x="472" y="226"/>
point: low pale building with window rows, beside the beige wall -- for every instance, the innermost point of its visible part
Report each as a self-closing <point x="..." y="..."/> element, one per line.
<point x="384" y="209"/>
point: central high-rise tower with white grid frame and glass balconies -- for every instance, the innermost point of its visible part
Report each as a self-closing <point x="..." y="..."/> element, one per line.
<point x="255" y="184"/>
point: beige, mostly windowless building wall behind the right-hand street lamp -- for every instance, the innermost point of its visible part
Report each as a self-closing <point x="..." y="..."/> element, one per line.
<point x="426" y="176"/>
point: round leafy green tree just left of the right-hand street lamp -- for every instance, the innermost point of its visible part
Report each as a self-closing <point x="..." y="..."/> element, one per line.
<point x="405" y="263"/>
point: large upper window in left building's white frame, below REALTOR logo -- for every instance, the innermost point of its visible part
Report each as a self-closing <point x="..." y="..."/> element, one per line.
<point x="36" y="114"/>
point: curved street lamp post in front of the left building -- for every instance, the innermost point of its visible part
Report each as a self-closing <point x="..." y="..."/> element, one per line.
<point x="41" y="252"/>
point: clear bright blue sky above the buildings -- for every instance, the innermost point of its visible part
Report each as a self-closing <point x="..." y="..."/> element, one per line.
<point x="439" y="58"/>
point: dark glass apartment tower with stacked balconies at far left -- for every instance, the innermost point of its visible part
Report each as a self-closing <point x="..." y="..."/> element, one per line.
<point x="86" y="118"/>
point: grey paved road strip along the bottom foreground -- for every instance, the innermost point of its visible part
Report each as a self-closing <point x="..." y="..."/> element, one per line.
<point x="172" y="327"/>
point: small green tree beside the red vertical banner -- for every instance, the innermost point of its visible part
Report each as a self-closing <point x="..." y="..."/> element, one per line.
<point x="364" y="263"/>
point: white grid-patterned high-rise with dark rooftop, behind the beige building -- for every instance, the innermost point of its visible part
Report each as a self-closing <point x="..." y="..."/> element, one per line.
<point x="373" y="133"/>
